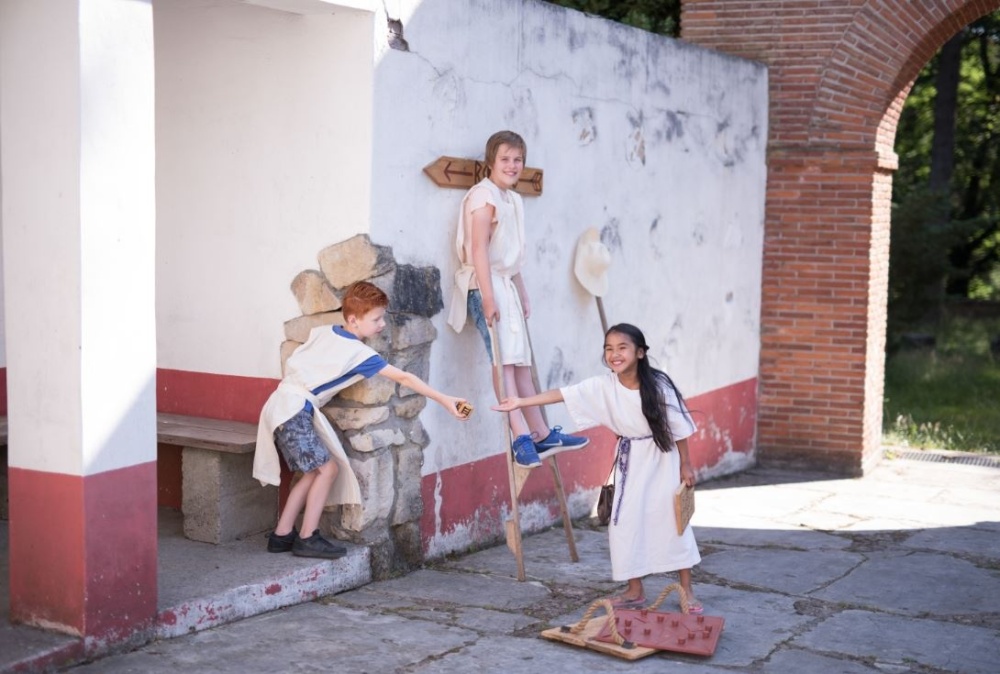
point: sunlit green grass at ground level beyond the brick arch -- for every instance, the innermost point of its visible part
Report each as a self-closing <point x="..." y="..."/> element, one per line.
<point x="948" y="398"/>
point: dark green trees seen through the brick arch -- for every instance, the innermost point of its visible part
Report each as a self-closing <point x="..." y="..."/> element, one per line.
<point x="948" y="141"/>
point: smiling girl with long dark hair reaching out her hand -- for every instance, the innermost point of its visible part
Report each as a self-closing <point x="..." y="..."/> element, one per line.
<point x="643" y="407"/>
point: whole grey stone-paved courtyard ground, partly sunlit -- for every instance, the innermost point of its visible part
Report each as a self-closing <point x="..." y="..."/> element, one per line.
<point x="883" y="588"/>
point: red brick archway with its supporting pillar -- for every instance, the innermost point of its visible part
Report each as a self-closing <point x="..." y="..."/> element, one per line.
<point x="839" y="73"/>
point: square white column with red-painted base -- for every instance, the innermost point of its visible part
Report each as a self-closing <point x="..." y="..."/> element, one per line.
<point x="77" y="160"/>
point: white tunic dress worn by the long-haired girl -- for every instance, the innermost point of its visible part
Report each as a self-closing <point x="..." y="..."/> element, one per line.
<point x="645" y="539"/>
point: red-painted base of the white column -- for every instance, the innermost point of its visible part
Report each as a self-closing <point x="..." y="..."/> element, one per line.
<point x="83" y="550"/>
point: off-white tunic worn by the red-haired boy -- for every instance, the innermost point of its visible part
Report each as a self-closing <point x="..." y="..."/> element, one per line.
<point x="319" y="369"/>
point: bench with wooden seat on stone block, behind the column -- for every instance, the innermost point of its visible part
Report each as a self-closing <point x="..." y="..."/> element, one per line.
<point x="220" y="499"/>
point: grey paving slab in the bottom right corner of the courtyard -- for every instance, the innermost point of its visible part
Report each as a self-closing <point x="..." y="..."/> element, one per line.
<point x="901" y="641"/>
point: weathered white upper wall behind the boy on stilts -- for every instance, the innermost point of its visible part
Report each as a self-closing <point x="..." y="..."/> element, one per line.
<point x="659" y="144"/>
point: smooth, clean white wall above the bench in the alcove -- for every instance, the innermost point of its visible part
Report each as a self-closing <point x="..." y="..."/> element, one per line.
<point x="263" y="130"/>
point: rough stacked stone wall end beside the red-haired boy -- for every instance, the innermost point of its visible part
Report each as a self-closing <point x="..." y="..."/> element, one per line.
<point x="377" y="420"/>
